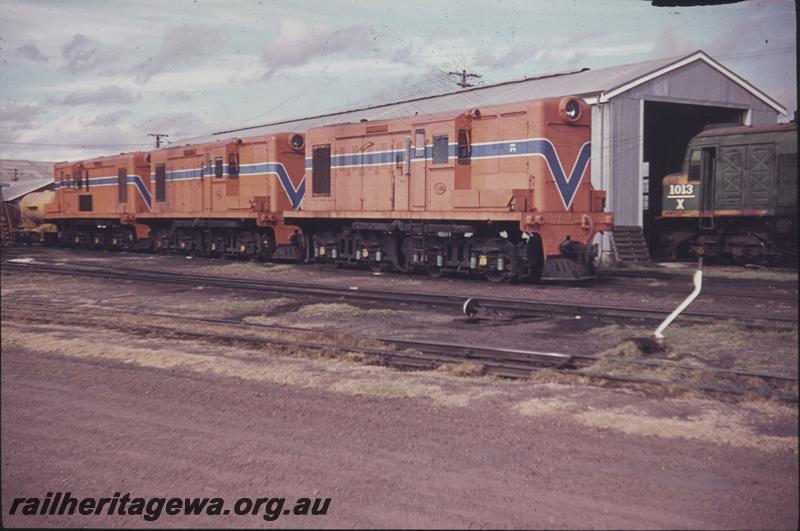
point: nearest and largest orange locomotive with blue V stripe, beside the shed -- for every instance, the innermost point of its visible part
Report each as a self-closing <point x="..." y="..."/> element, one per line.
<point x="502" y="191"/>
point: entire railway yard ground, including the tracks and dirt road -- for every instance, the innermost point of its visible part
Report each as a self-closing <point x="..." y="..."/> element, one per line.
<point x="167" y="376"/>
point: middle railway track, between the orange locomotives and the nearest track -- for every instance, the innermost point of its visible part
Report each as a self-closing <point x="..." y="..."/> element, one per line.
<point x="519" y="307"/>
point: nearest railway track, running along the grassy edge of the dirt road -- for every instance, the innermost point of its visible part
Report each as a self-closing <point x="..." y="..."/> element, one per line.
<point x="418" y="354"/>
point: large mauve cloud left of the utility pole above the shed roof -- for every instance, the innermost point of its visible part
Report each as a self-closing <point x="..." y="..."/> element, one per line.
<point x="298" y="43"/>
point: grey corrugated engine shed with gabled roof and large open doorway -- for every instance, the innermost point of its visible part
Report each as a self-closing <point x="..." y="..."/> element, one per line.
<point x="643" y="117"/>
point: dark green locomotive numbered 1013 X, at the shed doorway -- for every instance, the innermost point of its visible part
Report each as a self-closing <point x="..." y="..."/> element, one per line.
<point x="736" y="197"/>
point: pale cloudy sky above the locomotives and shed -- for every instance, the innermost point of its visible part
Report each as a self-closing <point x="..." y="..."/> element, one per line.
<point x="83" y="78"/>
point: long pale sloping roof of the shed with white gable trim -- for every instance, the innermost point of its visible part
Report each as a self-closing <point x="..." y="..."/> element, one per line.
<point x="593" y="85"/>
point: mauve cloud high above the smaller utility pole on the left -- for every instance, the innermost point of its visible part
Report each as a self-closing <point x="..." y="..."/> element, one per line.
<point x="180" y="44"/>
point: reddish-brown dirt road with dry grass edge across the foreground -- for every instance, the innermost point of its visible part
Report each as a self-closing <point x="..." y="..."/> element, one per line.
<point x="96" y="413"/>
